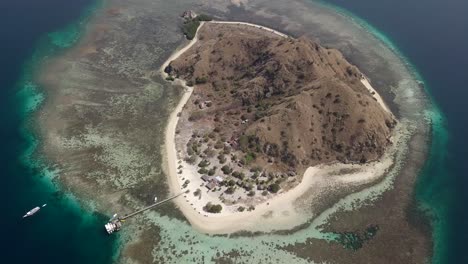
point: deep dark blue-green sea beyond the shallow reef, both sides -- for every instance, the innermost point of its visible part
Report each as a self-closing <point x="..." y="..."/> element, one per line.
<point x="431" y="34"/>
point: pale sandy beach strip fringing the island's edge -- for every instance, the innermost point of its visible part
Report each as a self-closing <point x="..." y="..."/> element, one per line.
<point x="269" y="215"/>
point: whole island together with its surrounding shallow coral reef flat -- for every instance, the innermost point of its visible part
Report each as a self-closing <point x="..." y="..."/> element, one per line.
<point x="114" y="131"/>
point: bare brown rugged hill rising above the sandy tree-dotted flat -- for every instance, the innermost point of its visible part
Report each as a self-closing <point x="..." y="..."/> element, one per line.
<point x="282" y="100"/>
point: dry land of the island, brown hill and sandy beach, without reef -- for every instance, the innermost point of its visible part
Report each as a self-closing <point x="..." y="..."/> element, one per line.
<point x="260" y="109"/>
